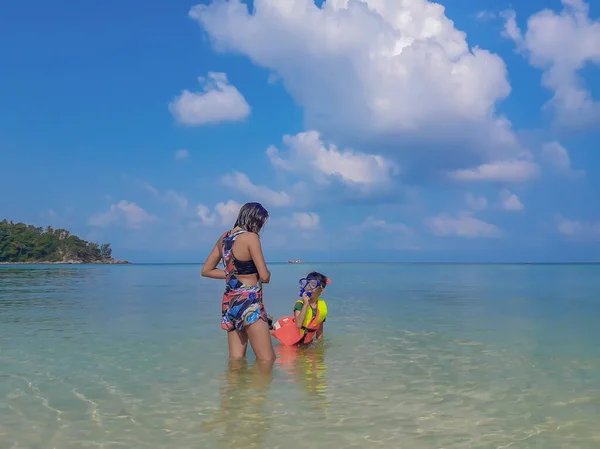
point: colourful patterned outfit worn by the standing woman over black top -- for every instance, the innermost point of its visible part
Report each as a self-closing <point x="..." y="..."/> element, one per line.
<point x="242" y="304"/>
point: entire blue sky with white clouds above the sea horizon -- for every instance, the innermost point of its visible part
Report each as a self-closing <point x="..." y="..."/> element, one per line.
<point x="372" y="131"/>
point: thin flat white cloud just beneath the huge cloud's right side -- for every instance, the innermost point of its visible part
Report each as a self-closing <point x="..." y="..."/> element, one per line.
<point x="499" y="171"/>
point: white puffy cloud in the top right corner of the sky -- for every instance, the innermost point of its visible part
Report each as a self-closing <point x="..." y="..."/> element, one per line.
<point x="561" y="45"/>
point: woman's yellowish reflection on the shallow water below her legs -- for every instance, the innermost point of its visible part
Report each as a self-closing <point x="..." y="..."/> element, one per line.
<point x="241" y="419"/>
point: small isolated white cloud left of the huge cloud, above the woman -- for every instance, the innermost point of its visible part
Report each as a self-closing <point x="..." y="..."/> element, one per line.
<point x="218" y="102"/>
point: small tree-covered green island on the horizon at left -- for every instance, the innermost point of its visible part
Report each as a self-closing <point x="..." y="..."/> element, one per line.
<point x="26" y="244"/>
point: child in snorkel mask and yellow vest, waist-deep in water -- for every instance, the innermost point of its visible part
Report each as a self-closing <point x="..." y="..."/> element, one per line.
<point x="310" y="312"/>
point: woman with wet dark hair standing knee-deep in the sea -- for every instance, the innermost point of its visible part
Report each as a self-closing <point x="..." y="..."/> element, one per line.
<point x="243" y="314"/>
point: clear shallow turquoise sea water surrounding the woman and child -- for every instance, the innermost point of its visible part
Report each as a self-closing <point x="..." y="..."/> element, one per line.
<point x="415" y="356"/>
